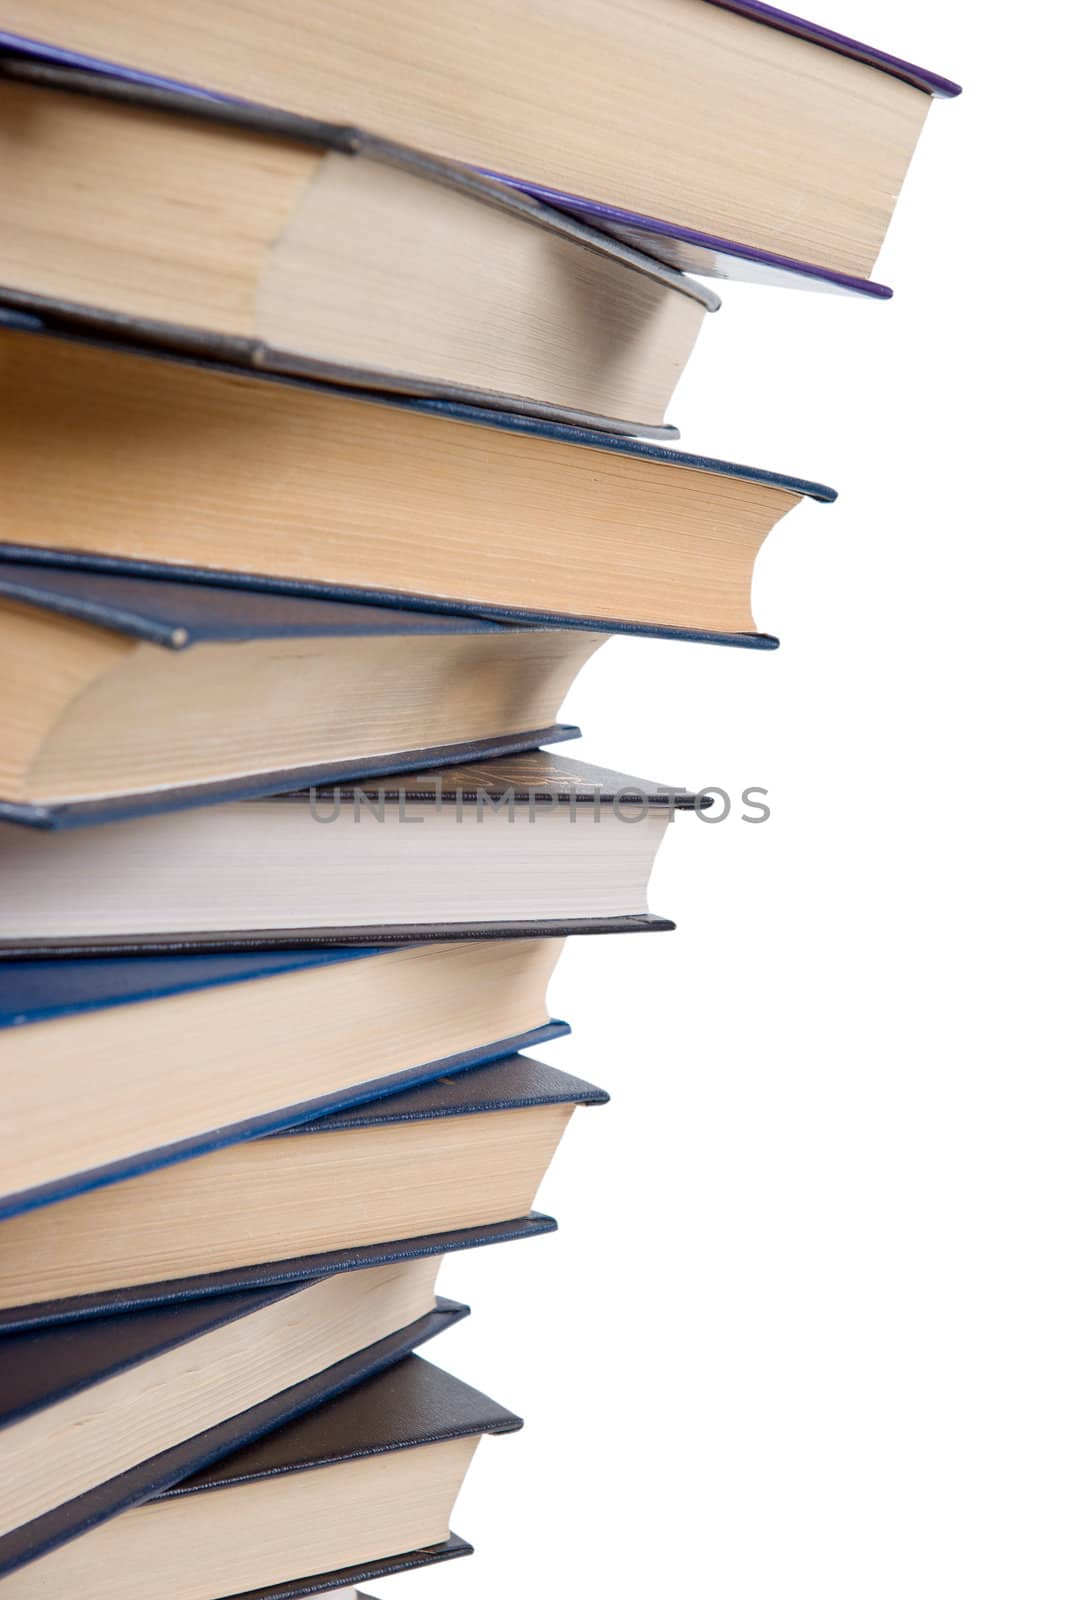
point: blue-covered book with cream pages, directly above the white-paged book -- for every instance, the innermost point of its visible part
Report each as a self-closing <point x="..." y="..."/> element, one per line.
<point x="122" y="694"/>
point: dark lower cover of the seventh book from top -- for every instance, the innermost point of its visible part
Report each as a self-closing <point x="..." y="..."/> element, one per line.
<point x="268" y="1274"/>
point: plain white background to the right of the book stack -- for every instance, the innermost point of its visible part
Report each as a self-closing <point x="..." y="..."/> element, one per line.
<point x="804" y="1329"/>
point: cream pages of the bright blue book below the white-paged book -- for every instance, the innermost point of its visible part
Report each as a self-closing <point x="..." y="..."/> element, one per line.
<point x="159" y="1078"/>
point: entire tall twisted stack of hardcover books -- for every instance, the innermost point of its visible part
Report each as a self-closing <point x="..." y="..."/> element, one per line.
<point x="332" y="354"/>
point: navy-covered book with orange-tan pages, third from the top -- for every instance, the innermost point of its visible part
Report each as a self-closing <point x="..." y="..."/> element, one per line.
<point x="166" y="463"/>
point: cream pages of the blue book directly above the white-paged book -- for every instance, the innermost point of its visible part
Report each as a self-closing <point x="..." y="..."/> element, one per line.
<point x="170" y="719"/>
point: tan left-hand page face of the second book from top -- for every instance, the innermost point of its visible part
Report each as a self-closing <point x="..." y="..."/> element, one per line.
<point x="97" y="210"/>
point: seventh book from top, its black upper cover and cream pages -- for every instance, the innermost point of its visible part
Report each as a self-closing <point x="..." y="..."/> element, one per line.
<point x="481" y="1145"/>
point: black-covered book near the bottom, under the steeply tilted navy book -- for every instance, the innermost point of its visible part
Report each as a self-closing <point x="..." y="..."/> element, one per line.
<point x="366" y="1476"/>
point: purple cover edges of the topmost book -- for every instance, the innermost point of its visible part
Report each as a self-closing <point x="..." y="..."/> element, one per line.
<point x="686" y="249"/>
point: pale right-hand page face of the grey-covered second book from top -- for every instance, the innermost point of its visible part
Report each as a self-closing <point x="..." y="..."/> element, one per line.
<point x="415" y="278"/>
